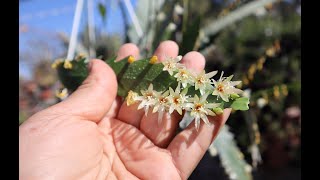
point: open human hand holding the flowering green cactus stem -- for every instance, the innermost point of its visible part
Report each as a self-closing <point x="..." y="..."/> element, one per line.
<point x="93" y="135"/>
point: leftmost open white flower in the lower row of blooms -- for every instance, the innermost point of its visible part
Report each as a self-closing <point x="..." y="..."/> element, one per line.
<point x="147" y="99"/>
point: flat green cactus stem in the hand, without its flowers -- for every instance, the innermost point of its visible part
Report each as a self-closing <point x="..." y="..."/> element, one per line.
<point x="137" y="76"/>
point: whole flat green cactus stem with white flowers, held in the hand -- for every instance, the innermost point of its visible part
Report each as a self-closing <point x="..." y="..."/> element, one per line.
<point x="162" y="87"/>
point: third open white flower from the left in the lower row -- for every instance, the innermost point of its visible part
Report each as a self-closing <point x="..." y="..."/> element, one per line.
<point x="177" y="100"/>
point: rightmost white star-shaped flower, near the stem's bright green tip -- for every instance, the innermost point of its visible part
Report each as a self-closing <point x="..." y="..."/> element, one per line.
<point x="224" y="87"/>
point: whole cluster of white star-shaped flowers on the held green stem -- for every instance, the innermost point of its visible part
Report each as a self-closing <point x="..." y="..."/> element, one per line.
<point x="178" y="100"/>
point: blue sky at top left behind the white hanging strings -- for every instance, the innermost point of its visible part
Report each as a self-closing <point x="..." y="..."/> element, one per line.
<point x="47" y="17"/>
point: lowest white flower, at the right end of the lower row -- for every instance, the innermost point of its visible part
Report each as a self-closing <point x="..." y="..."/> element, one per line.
<point x="200" y="108"/>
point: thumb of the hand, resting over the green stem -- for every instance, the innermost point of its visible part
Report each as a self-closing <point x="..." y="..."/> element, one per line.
<point x="93" y="99"/>
